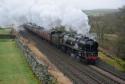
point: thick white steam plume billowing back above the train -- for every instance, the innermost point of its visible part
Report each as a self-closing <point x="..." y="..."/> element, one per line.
<point x="44" y="13"/>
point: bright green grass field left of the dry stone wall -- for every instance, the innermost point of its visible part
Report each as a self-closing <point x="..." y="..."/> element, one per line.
<point x="13" y="66"/>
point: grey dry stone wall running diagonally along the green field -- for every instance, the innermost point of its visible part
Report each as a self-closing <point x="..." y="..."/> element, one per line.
<point x="38" y="67"/>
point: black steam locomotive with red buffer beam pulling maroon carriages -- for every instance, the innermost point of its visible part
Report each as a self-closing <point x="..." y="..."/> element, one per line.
<point x="81" y="47"/>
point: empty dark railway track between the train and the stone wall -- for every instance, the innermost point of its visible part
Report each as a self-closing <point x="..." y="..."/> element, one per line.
<point x="79" y="73"/>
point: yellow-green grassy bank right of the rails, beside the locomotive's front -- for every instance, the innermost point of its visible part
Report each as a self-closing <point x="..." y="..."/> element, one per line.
<point x="115" y="62"/>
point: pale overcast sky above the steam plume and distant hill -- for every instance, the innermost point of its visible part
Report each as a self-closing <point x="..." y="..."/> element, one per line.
<point x="89" y="4"/>
